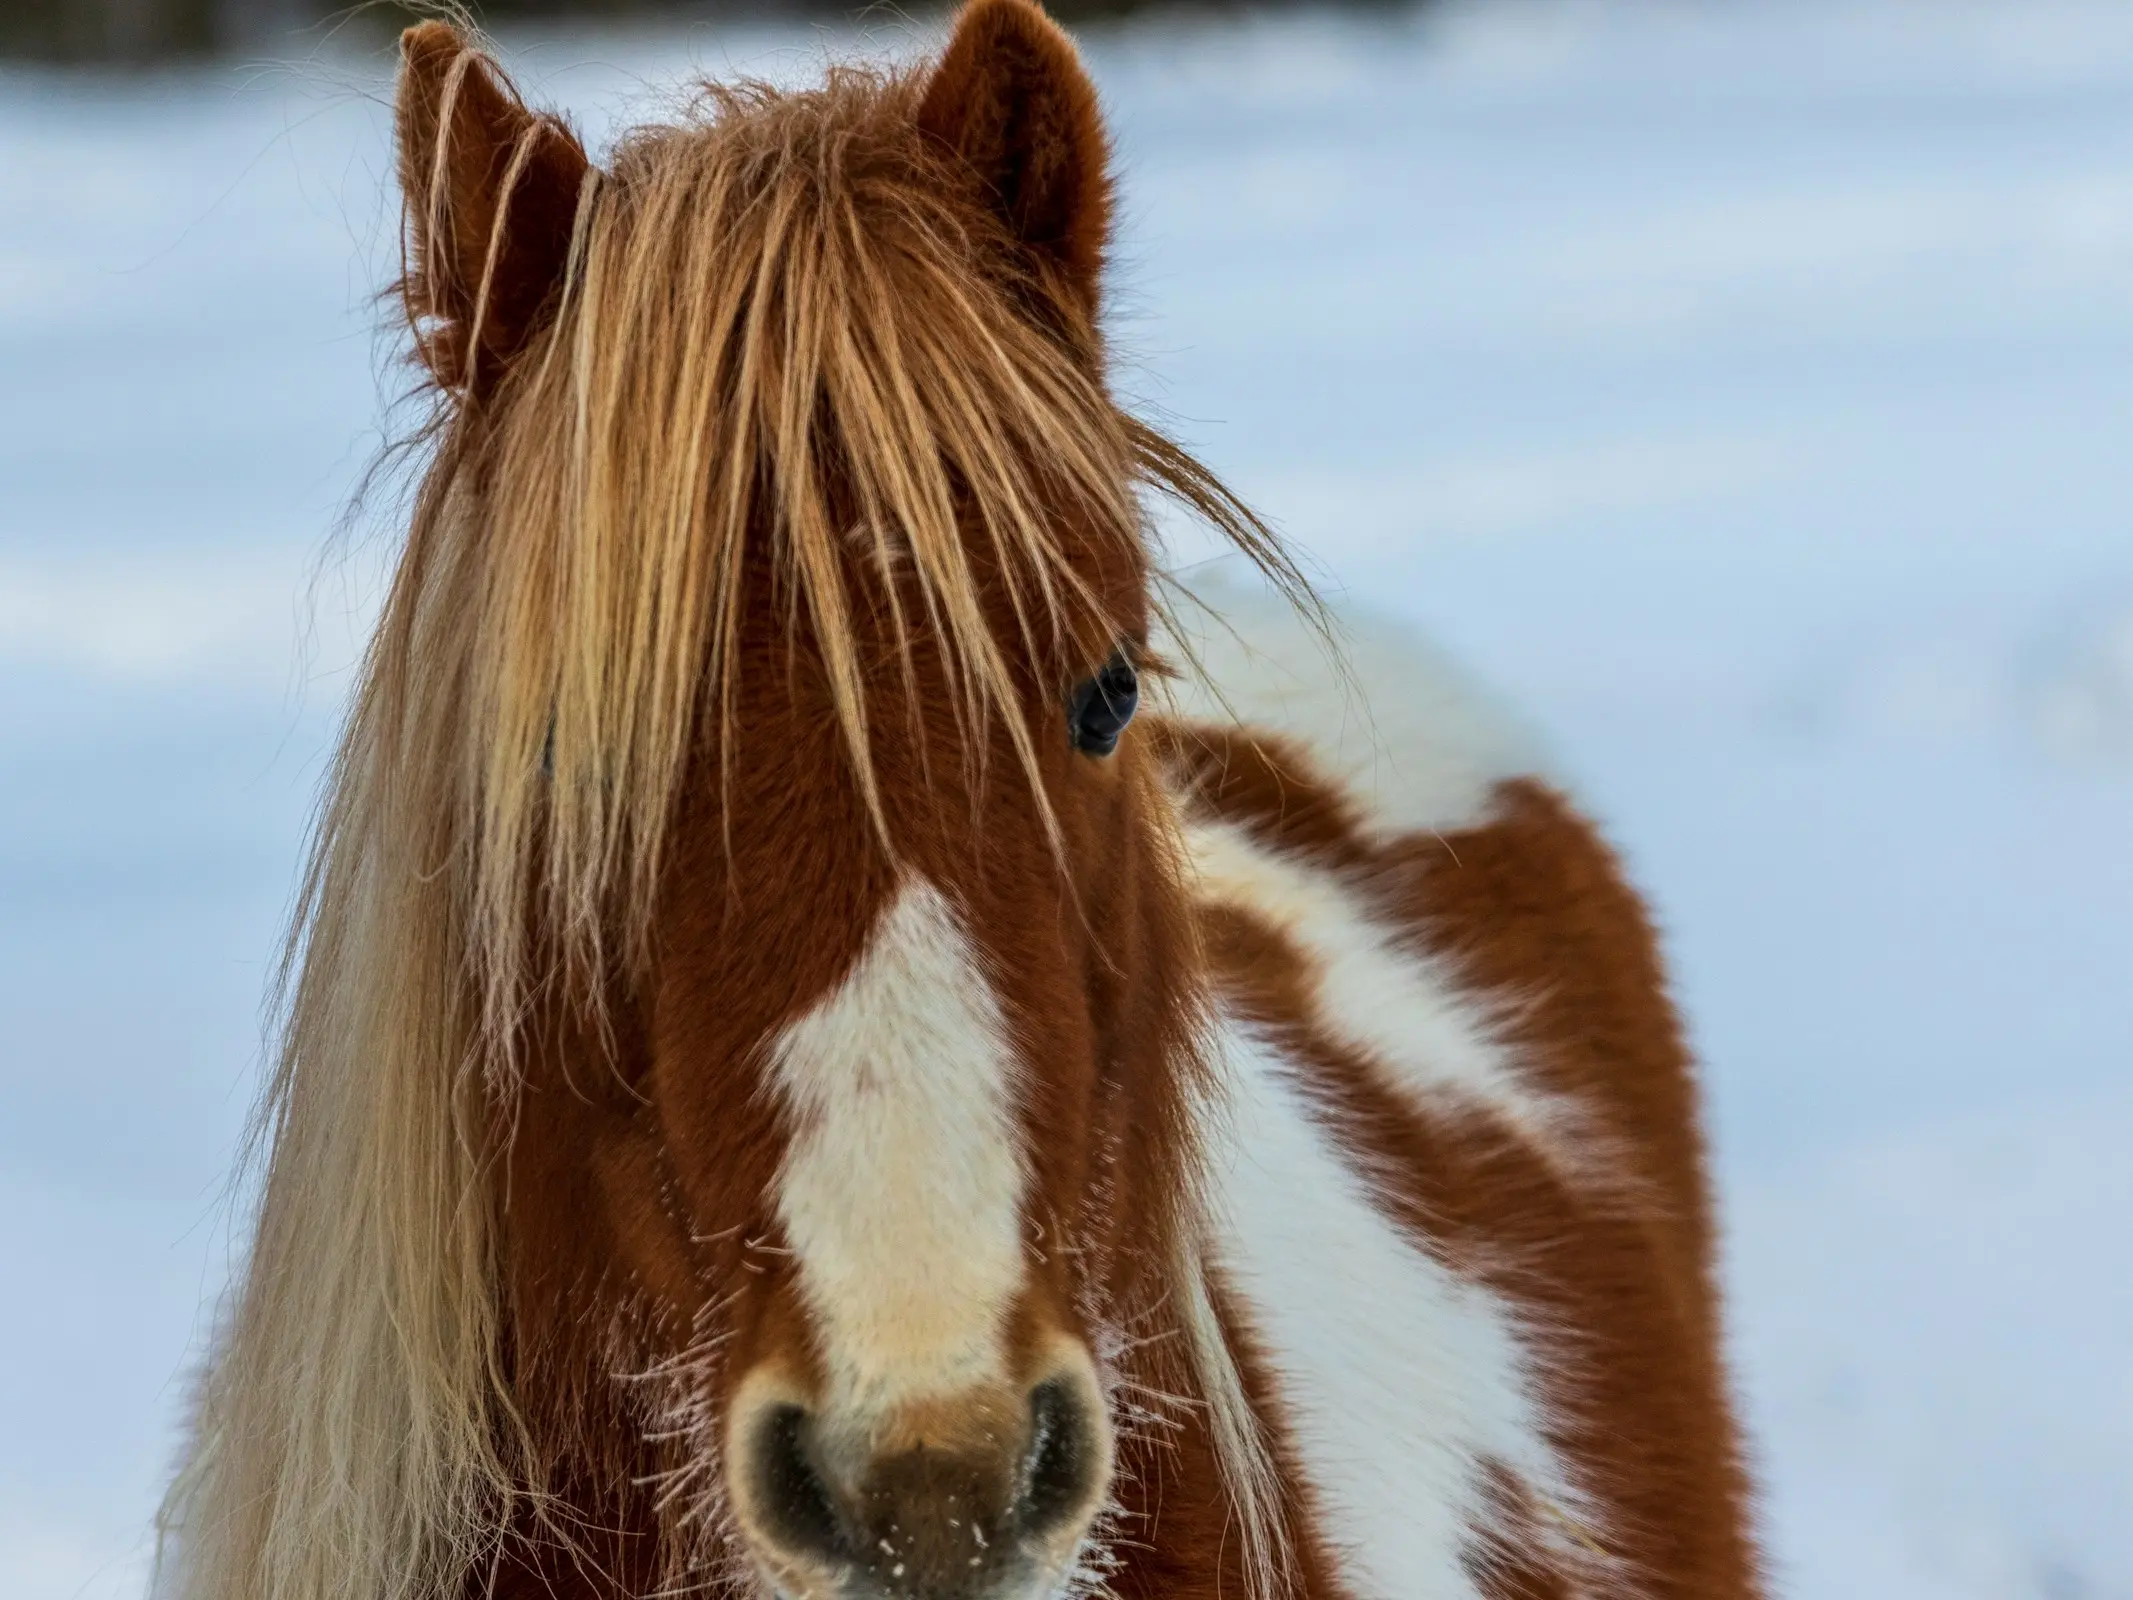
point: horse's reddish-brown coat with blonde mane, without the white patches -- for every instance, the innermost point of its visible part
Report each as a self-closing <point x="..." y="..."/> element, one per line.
<point x="777" y="507"/>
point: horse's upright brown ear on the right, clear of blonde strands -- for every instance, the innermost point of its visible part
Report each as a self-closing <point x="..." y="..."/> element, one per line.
<point x="1012" y="99"/>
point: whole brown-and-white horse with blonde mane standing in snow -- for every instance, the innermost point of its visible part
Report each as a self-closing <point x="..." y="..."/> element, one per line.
<point x="797" y="1083"/>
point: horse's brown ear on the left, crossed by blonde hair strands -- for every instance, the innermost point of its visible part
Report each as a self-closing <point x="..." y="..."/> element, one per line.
<point x="492" y="195"/>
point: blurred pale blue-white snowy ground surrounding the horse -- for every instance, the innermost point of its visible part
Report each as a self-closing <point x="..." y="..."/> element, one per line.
<point x="1742" y="387"/>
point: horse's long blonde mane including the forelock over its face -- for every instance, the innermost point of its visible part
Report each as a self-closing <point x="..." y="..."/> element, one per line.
<point x="777" y="332"/>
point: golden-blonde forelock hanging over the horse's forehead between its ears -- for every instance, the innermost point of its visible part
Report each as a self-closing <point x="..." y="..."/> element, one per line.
<point x="786" y="332"/>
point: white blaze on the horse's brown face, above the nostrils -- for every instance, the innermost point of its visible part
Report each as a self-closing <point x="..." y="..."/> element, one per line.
<point x="901" y="1189"/>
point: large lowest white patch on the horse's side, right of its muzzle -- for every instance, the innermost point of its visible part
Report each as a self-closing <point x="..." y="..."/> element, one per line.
<point x="1398" y="1381"/>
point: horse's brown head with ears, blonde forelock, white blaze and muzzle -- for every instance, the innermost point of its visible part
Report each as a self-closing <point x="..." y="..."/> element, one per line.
<point x="788" y="556"/>
